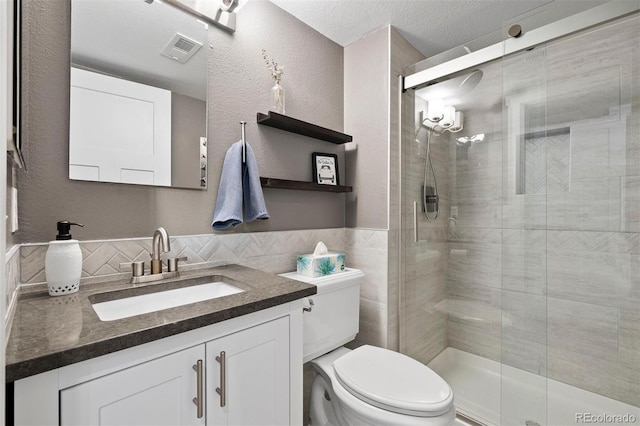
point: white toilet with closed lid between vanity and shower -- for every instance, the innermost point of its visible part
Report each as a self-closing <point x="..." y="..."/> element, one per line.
<point x="367" y="385"/>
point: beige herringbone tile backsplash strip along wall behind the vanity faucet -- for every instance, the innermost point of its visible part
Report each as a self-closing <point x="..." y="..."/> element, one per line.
<point x="268" y="251"/>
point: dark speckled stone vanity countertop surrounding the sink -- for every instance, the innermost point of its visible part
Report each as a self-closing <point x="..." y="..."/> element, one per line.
<point x="51" y="332"/>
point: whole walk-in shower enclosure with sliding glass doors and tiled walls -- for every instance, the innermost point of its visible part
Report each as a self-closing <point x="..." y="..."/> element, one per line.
<point x="524" y="291"/>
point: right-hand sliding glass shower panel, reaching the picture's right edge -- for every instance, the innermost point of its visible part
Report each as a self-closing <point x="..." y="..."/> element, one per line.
<point x="570" y="277"/>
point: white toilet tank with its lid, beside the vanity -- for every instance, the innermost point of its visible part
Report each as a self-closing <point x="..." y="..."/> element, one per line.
<point x="334" y="316"/>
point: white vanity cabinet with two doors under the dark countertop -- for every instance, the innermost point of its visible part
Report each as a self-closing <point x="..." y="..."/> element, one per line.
<point x="251" y="375"/>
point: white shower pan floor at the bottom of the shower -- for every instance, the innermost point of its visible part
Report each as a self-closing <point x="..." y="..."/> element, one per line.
<point x="488" y="393"/>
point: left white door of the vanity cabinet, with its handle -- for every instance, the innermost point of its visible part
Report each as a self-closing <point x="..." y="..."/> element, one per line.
<point x="158" y="392"/>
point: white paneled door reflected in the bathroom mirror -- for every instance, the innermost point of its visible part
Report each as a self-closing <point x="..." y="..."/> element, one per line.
<point x="120" y="131"/>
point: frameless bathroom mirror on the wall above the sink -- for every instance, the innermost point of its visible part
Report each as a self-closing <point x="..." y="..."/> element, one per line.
<point x="138" y="96"/>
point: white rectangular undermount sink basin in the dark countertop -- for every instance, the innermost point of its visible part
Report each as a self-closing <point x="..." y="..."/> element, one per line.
<point x="152" y="302"/>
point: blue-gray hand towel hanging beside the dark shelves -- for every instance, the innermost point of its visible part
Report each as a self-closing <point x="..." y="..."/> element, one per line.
<point x="239" y="181"/>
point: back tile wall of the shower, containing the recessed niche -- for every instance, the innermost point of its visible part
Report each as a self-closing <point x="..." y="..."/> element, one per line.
<point x="549" y="280"/>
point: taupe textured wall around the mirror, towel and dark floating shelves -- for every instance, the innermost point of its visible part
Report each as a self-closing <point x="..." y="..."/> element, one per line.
<point x="239" y="86"/>
